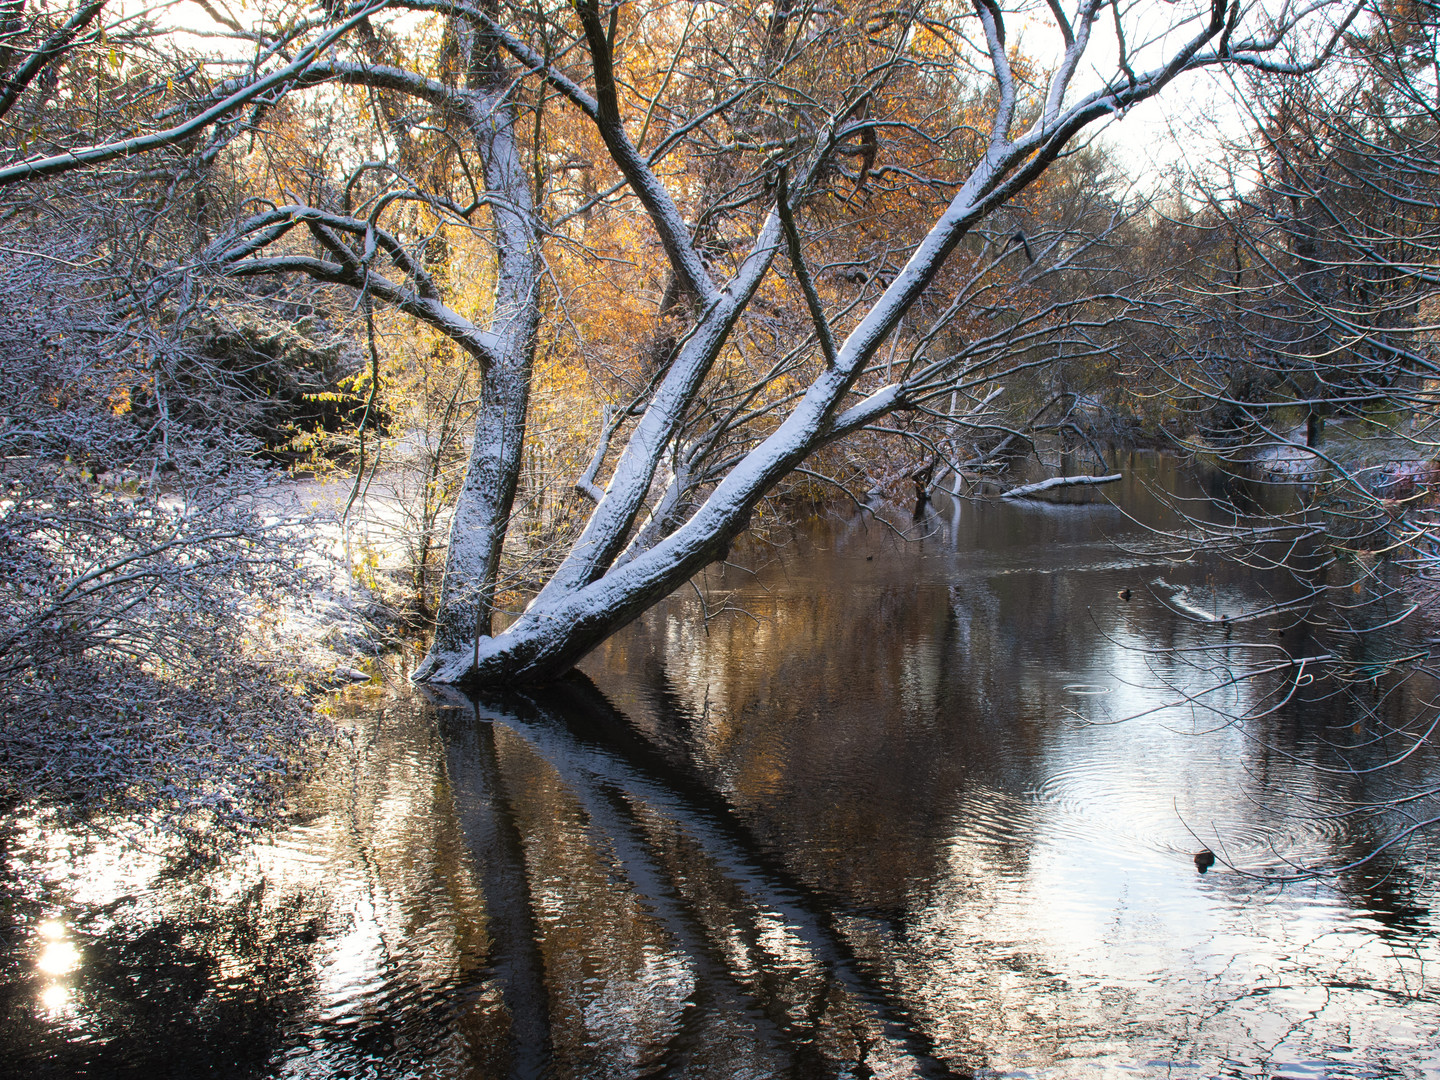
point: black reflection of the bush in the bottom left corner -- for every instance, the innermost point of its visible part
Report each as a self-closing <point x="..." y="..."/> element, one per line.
<point x="211" y="989"/>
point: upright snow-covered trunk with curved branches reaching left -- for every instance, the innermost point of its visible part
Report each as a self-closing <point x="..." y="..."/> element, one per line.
<point x="356" y="251"/>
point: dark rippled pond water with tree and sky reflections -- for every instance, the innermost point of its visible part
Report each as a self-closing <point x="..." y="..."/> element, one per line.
<point x="881" y="814"/>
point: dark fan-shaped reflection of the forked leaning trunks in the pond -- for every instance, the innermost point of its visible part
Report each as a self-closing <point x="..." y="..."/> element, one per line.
<point x="627" y="855"/>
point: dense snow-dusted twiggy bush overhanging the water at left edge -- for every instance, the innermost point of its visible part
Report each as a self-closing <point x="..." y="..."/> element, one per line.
<point x="140" y="559"/>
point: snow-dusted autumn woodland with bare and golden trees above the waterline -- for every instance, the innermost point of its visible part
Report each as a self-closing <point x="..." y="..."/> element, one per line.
<point x="434" y="248"/>
